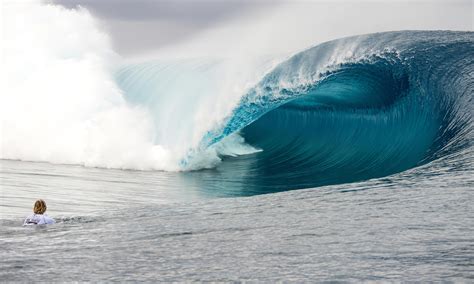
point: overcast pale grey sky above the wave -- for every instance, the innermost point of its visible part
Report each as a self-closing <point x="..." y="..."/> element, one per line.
<point x="145" y="26"/>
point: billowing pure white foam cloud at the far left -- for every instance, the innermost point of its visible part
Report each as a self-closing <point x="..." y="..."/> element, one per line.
<point x="60" y="102"/>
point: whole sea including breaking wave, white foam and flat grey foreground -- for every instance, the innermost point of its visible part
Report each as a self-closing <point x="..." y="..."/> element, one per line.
<point x="349" y="160"/>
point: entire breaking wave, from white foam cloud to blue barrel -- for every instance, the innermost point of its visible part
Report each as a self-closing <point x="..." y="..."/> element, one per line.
<point x="346" y="110"/>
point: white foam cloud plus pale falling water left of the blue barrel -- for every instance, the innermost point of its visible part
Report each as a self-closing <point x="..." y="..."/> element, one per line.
<point x="61" y="103"/>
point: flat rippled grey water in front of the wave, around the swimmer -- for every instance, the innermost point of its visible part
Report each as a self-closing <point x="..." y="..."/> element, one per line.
<point x="124" y="225"/>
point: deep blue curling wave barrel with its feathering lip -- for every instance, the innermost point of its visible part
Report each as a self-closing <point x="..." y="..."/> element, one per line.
<point x="354" y="109"/>
